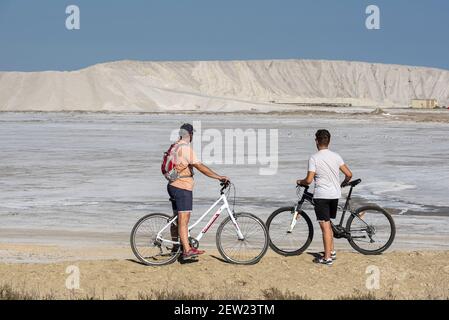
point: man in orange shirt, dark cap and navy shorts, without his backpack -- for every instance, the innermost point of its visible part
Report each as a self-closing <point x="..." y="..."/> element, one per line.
<point x="180" y="190"/>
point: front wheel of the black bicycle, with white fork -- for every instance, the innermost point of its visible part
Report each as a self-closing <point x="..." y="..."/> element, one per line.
<point x="285" y="239"/>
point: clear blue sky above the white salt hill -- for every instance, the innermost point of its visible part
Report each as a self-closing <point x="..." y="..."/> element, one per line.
<point x="33" y="34"/>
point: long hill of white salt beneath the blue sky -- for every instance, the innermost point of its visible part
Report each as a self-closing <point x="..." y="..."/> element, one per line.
<point x="220" y="86"/>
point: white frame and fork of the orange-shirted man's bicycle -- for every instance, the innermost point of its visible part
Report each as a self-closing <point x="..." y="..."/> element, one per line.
<point x="224" y="207"/>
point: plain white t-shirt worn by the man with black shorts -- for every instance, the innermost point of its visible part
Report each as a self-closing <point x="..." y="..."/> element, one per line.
<point x="326" y="165"/>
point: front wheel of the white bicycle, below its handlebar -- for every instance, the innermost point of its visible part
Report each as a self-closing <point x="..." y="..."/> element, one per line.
<point x="248" y="250"/>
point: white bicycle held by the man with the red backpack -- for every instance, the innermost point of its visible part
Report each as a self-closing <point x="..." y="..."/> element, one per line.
<point x="242" y="238"/>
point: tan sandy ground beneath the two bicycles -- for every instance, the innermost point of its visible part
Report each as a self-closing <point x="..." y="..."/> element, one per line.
<point x="402" y="275"/>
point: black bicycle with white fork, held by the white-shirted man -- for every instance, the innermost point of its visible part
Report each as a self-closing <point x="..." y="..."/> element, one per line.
<point x="369" y="230"/>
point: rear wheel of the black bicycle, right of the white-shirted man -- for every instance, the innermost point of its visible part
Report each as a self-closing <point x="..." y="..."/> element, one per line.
<point x="372" y="230"/>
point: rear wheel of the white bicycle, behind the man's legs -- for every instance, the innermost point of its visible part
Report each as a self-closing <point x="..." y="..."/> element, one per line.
<point x="146" y="247"/>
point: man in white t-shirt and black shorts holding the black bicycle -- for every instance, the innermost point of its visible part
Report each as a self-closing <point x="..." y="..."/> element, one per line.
<point x="324" y="169"/>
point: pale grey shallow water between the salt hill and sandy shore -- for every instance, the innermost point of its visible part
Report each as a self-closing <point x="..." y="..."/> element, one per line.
<point x="100" y="172"/>
